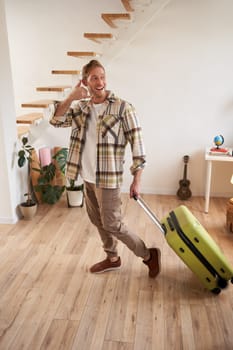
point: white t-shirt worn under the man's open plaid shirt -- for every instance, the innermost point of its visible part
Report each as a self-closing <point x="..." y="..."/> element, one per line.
<point x="89" y="156"/>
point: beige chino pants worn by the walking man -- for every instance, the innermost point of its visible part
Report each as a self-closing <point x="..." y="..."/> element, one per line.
<point x="104" y="210"/>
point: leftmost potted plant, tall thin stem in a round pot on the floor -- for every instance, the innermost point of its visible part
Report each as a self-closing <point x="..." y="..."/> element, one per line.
<point x="29" y="207"/>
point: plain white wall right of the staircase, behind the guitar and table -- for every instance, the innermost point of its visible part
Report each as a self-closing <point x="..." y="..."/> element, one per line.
<point x="178" y="73"/>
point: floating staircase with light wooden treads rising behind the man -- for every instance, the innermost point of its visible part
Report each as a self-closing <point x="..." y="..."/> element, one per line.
<point x="113" y="20"/>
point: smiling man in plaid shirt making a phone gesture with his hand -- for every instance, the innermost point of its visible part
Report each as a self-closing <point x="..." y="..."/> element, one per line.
<point x="102" y="124"/>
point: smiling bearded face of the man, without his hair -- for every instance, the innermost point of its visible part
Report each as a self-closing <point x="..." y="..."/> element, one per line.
<point x="96" y="83"/>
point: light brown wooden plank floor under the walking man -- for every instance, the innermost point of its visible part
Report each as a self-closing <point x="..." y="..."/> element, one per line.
<point x="49" y="300"/>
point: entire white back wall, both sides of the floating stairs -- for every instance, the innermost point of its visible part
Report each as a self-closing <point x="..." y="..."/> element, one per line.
<point x="176" y="69"/>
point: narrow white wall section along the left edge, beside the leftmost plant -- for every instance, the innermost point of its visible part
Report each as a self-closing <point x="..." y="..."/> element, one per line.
<point x="7" y="130"/>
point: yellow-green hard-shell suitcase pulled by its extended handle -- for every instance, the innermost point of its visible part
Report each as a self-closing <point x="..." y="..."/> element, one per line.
<point x="193" y="244"/>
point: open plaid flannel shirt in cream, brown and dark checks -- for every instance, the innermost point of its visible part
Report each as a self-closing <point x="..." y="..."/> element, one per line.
<point x="117" y="126"/>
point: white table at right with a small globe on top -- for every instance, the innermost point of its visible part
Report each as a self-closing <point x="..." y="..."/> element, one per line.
<point x="209" y="159"/>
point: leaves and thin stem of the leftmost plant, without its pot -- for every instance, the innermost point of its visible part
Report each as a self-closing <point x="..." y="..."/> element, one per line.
<point x="24" y="157"/>
